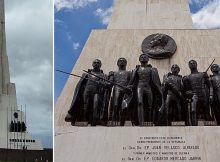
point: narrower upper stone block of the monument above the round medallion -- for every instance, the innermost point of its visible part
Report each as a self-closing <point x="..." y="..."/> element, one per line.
<point x="151" y="14"/>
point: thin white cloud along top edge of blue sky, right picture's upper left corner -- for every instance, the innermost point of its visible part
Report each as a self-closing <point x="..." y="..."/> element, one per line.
<point x="71" y="4"/>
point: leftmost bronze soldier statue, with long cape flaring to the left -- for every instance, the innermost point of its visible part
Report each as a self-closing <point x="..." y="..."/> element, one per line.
<point x="89" y="102"/>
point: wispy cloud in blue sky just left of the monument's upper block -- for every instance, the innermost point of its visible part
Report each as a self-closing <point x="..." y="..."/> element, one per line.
<point x="104" y="14"/>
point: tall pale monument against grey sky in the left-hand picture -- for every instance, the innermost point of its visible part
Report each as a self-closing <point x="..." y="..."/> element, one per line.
<point x="13" y="134"/>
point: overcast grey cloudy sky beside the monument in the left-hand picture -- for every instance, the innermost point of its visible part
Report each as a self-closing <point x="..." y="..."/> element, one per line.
<point x="29" y="32"/>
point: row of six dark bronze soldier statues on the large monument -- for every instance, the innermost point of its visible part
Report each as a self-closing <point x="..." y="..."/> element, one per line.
<point x="140" y="97"/>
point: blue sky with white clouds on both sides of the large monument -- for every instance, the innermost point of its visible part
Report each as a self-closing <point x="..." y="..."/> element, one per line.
<point x="74" y="20"/>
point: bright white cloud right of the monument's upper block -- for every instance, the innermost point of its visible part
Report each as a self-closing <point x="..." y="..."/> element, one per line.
<point x="208" y="16"/>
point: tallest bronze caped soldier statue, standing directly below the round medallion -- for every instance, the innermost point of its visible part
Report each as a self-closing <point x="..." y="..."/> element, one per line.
<point x="146" y="84"/>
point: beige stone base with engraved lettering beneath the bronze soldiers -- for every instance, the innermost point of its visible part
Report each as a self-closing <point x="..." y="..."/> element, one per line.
<point x="140" y="144"/>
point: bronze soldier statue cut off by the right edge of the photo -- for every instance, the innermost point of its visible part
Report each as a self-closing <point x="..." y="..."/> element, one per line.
<point x="215" y="91"/>
